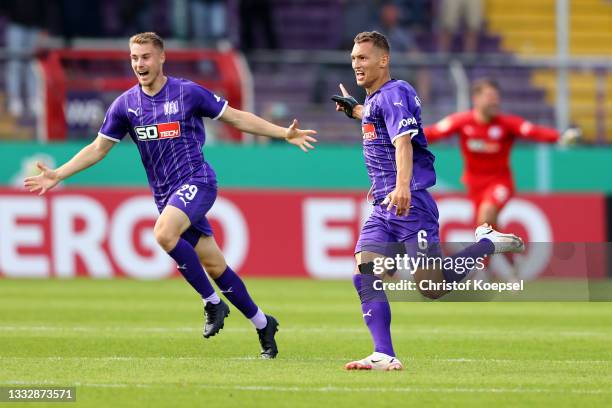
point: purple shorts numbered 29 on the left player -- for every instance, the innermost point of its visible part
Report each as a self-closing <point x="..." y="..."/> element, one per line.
<point x="195" y="199"/>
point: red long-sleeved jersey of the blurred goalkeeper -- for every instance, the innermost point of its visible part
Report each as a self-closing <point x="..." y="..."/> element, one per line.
<point x="486" y="146"/>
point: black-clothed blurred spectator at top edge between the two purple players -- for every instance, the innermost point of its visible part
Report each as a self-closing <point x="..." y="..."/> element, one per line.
<point x="256" y="22"/>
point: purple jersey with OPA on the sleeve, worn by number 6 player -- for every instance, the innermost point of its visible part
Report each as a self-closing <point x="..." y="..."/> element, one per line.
<point x="391" y="112"/>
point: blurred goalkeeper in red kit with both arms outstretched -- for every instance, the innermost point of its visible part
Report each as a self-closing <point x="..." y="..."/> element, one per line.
<point x="486" y="136"/>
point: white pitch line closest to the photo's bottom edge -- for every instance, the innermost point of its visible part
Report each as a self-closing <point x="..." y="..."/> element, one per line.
<point x="264" y="388"/>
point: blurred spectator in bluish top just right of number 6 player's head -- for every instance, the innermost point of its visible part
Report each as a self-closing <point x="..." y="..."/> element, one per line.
<point x="403" y="42"/>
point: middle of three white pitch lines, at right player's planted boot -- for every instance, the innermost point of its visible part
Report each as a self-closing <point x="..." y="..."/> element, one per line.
<point x="303" y="360"/>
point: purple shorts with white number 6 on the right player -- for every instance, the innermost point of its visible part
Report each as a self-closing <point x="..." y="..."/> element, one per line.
<point x="383" y="228"/>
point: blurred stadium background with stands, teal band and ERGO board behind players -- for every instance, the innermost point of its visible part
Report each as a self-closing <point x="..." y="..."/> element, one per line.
<point x="63" y="62"/>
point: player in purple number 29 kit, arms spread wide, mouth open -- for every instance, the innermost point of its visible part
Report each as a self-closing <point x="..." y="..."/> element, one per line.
<point x="162" y="115"/>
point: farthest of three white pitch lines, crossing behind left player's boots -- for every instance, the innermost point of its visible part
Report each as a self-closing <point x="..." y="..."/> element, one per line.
<point x="493" y="332"/>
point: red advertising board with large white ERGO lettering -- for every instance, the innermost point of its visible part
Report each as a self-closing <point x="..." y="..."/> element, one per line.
<point x="104" y="233"/>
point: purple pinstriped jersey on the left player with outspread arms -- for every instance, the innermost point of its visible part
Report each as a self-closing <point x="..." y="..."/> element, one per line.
<point x="168" y="131"/>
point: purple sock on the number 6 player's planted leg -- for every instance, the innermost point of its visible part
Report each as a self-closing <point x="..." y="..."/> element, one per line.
<point x="376" y="312"/>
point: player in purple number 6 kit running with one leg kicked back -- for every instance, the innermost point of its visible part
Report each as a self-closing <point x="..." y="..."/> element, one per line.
<point x="401" y="169"/>
